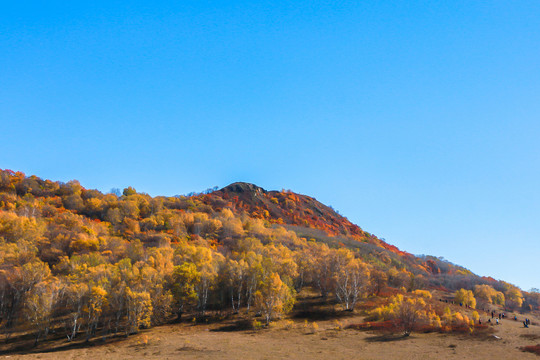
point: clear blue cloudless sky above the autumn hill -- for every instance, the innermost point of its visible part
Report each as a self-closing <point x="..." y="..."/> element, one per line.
<point x="420" y="121"/>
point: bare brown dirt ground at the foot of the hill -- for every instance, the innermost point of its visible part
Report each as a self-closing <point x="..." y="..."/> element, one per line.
<point x="219" y="341"/>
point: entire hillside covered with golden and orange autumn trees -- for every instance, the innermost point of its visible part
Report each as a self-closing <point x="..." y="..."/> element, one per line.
<point x="84" y="264"/>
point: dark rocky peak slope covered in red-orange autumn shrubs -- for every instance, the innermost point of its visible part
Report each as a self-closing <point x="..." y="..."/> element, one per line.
<point x="311" y="219"/>
